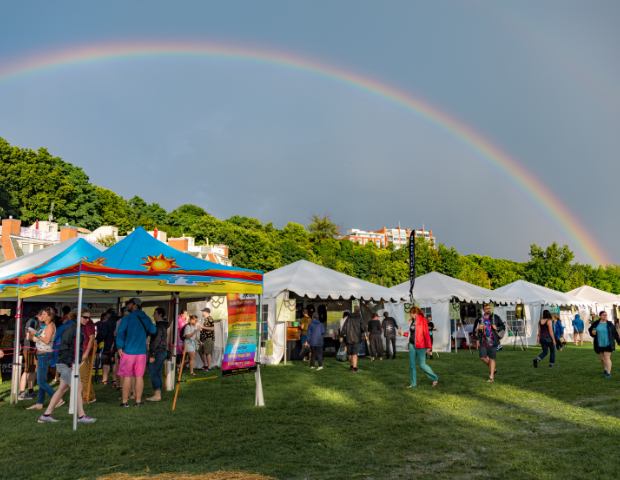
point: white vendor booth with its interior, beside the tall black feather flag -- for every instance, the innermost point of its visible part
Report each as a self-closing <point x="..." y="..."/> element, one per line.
<point x="453" y="306"/>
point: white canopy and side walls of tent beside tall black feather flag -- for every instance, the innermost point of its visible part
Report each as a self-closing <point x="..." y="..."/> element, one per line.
<point x="435" y="291"/>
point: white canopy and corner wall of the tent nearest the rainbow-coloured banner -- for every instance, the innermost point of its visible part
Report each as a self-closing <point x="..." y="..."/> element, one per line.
<point x="306" y="279"/>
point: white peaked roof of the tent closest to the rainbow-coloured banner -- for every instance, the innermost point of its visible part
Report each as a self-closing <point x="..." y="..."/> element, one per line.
<point x="308" y="279"/>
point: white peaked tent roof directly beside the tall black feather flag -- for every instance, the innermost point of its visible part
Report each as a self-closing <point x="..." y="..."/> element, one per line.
<point x="436" y="287"/>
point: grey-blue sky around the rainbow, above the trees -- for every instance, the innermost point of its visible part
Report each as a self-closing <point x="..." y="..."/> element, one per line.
<point x="538" y="80"/>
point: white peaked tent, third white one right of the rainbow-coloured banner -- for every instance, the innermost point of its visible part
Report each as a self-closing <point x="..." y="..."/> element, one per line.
<point x="536" y="297"/>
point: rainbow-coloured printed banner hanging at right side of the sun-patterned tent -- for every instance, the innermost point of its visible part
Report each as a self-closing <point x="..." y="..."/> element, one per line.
<point x="240" y="352"/>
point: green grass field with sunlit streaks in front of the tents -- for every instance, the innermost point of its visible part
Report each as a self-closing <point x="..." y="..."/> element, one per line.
<point x="531" y="423"/>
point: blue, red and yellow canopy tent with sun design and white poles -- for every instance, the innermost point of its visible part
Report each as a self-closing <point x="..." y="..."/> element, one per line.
<point x="140" y="265"/>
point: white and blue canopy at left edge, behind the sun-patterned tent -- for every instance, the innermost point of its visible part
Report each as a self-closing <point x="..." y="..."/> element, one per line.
<point x="10" y="271"/>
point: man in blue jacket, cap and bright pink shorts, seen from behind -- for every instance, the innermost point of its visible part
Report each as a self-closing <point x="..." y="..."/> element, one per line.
<point x="131" y="344"/>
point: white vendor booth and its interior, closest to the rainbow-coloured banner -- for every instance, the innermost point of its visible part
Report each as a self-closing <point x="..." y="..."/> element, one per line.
<point x="290" y="289"/>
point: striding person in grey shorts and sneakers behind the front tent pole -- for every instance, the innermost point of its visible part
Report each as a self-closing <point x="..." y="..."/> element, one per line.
<point x="66" y="356"/>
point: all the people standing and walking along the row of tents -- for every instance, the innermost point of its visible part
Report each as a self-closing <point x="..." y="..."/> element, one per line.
<point x="124" y="344"/>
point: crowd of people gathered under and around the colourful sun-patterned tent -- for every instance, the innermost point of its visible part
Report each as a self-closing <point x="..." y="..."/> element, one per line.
<point x="122" y="345"/>
